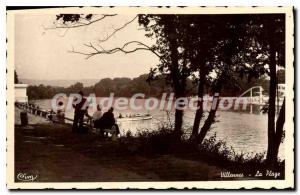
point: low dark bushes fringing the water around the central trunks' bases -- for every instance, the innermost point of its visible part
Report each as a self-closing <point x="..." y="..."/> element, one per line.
<point x="163" y="142"/>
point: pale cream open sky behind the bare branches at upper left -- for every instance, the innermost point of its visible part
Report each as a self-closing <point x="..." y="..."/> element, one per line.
<point x="45" y="54"/>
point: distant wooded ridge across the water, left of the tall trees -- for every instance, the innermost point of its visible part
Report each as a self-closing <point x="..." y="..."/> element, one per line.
<point x="121" y="87"/>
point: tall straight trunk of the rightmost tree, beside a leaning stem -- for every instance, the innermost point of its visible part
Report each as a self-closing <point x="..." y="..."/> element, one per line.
<point x="271" y="156"/>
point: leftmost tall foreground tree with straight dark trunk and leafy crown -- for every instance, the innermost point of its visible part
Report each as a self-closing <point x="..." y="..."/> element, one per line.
<point x="170" y="36"/>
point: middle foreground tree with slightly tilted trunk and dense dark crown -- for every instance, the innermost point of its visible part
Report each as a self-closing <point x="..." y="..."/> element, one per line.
<point x="202" y="37"/>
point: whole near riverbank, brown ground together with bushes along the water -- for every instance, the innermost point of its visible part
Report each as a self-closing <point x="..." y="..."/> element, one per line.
<point x="56" y="154"/>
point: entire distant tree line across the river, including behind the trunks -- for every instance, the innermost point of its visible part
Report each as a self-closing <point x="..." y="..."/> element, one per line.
<point x="126" y="87"/>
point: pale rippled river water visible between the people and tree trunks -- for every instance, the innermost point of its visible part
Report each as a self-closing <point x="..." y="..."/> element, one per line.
<point x="244" y="130"/>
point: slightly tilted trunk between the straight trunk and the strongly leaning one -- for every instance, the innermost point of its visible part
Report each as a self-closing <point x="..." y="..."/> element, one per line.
<point x="199" y="111"/>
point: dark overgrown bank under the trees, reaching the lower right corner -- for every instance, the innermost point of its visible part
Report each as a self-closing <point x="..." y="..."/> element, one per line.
<point x="212" y="151"/>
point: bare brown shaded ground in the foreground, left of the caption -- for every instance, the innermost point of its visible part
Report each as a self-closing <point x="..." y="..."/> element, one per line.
<point x="55" y="154"/>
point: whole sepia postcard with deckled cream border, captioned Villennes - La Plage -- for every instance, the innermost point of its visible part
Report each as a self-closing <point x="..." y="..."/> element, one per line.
<point x="150" y="98"/>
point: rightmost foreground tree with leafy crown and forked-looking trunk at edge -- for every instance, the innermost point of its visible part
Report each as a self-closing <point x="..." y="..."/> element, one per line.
<point x="267" y="32"/>
